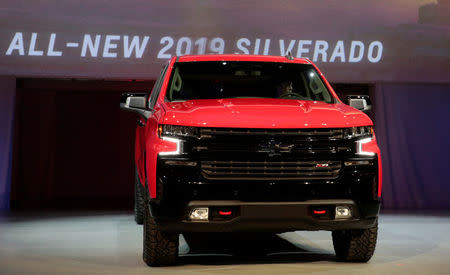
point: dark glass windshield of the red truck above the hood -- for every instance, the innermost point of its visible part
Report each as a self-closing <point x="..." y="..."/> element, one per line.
<point x="238" y="79"/>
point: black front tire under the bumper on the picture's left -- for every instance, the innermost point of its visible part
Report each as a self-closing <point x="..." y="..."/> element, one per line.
<point x="160" y="248"/>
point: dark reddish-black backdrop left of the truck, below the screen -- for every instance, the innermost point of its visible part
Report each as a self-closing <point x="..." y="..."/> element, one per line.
<point x="73" y="146"/>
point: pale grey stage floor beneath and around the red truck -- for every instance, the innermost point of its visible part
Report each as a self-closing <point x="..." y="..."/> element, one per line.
<point x="104" y="243"/>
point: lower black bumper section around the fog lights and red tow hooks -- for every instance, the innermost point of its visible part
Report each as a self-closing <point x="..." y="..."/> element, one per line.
<point x="269" y="216"/>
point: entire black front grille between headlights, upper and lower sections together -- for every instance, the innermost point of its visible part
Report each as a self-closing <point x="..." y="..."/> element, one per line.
<point x="271" y="154"/>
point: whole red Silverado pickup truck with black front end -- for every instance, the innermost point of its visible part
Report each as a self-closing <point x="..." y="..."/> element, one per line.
<point x="241" y="143"/>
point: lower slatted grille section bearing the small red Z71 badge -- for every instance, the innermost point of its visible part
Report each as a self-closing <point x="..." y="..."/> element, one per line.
<point x="270" y="170"/>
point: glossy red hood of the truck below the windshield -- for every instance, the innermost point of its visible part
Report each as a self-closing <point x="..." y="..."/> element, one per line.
<point x="263" y="113"/>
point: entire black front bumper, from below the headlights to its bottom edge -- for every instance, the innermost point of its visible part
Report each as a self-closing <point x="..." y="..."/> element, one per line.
<point x="271" y="206"/>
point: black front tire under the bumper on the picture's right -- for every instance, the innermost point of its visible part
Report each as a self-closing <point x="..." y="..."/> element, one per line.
<point x="355" y="245"/>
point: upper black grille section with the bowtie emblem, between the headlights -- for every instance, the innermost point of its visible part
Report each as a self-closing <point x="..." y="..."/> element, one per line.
<point x="290" y="143"/>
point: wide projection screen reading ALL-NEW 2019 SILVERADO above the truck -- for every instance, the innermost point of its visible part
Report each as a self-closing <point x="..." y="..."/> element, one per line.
<point x="351" y="41"/>
